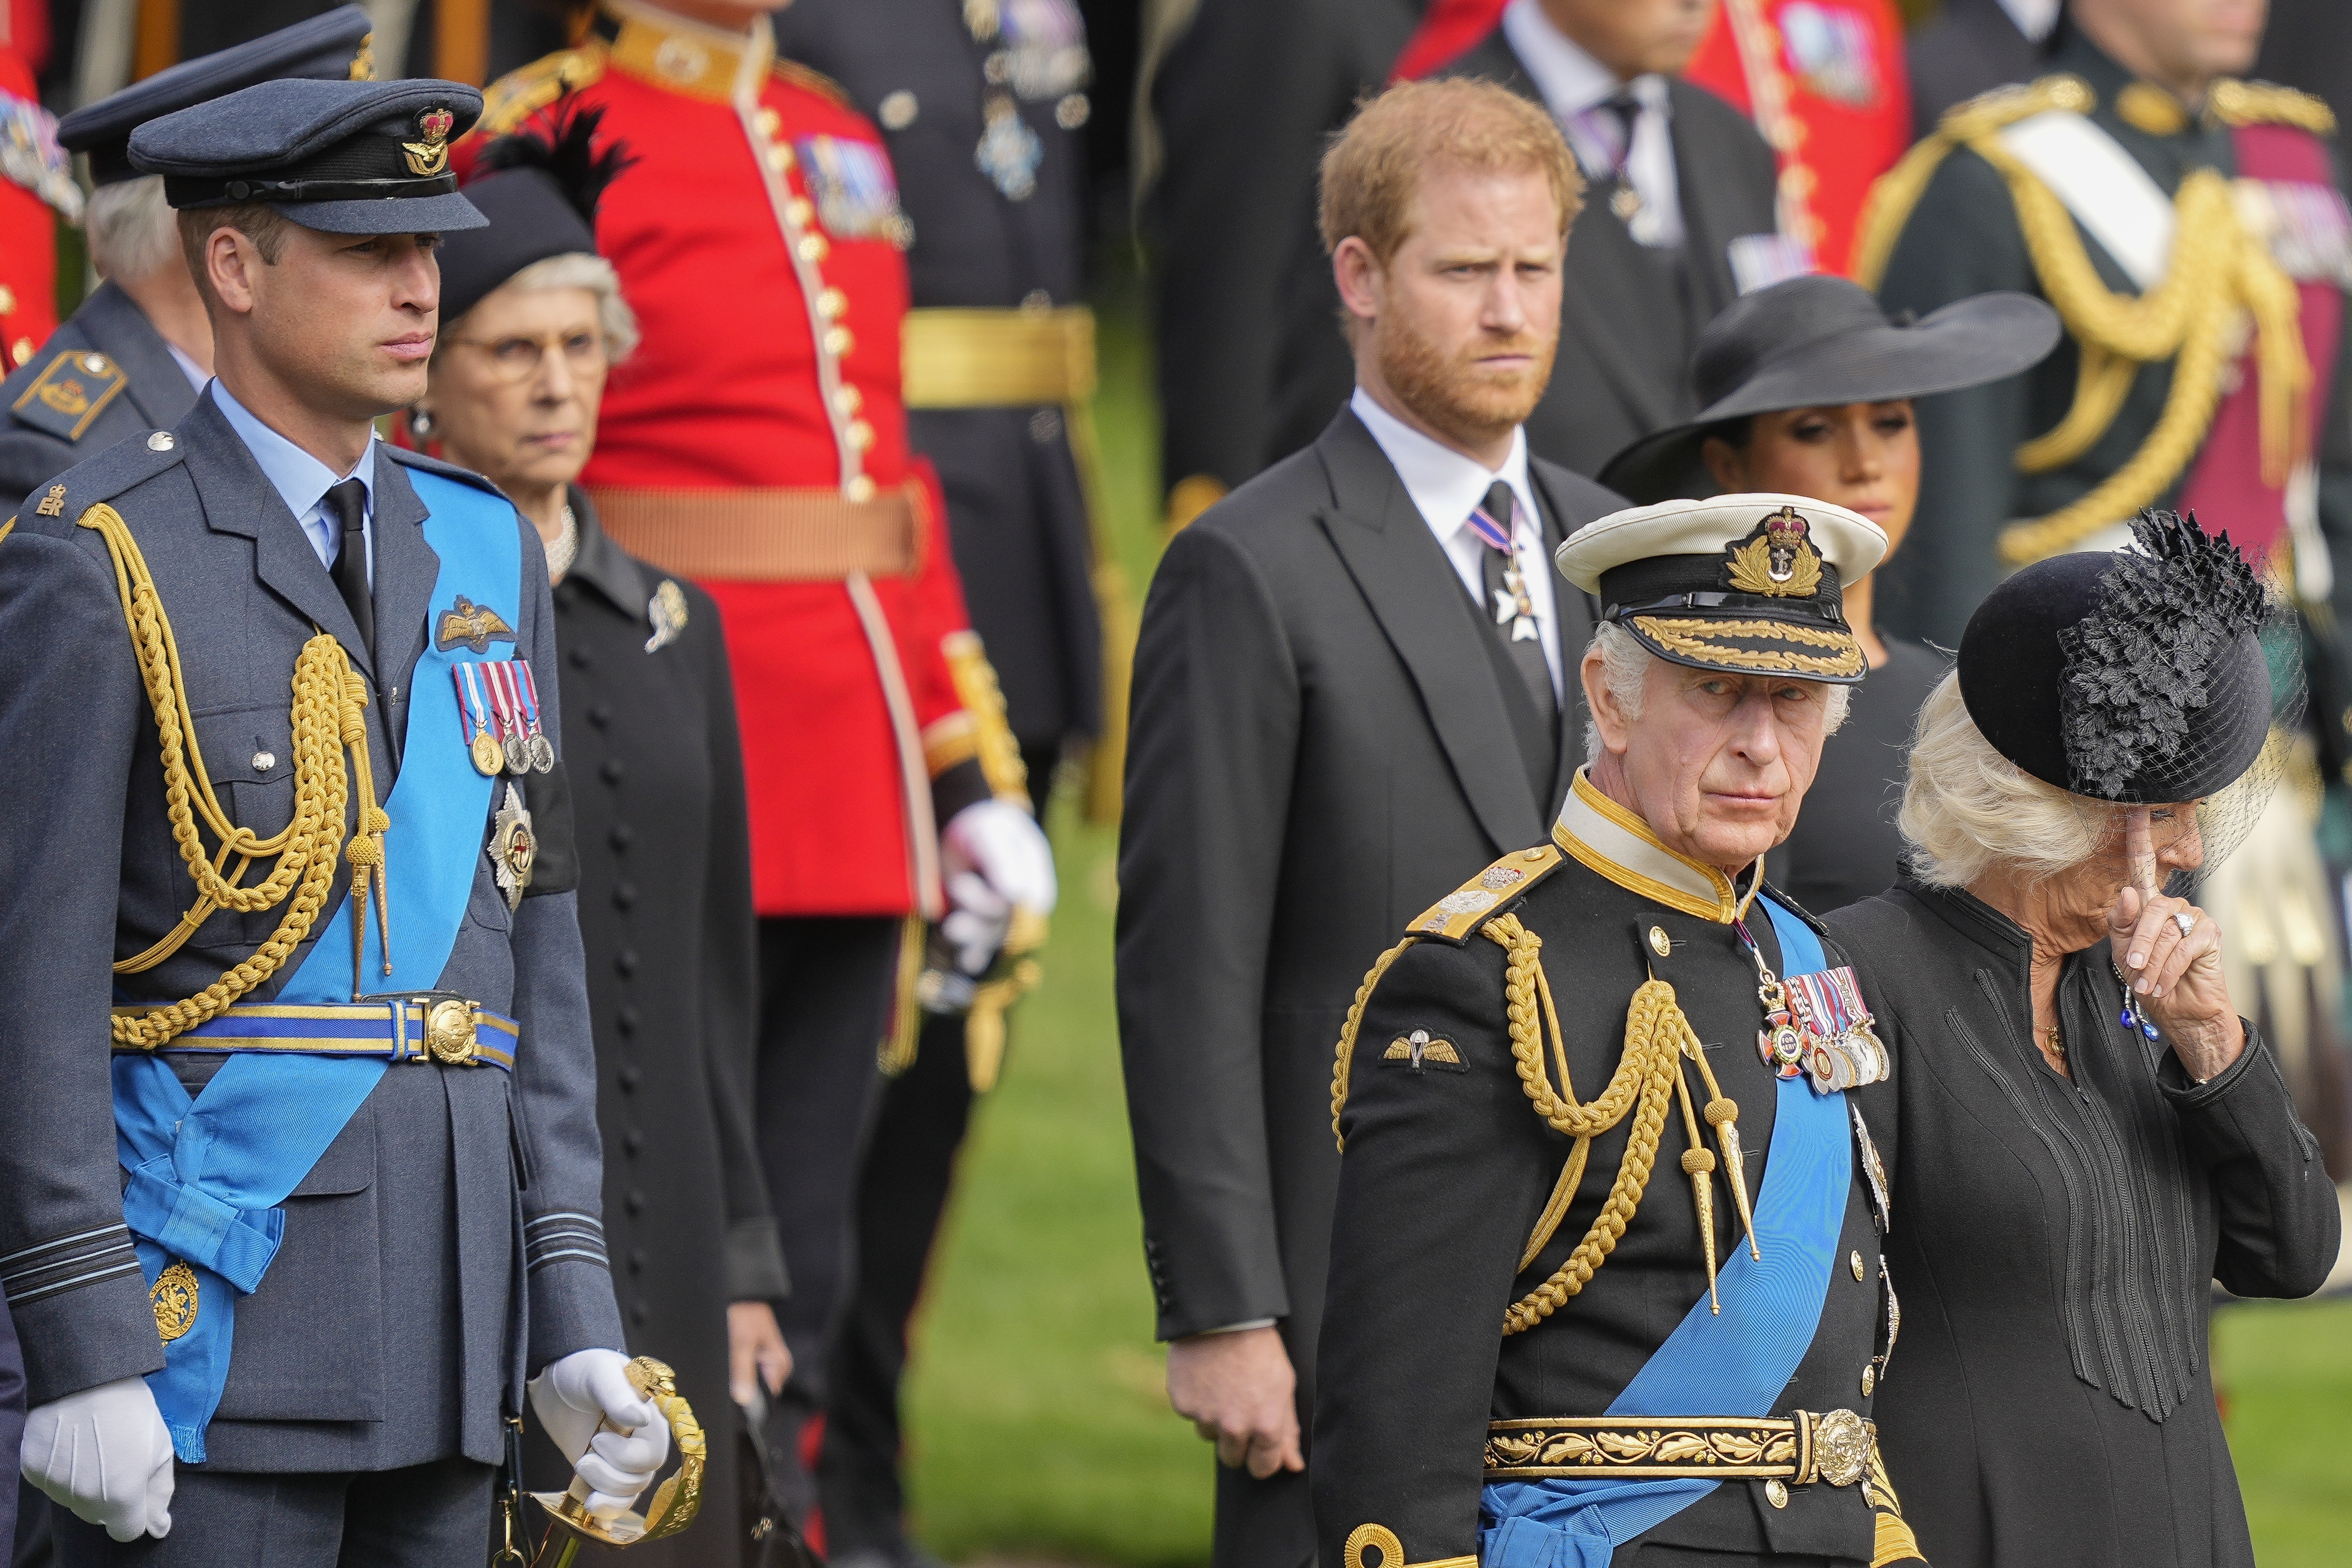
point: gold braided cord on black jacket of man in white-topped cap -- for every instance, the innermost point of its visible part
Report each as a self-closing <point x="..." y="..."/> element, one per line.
<point x="1657" y="1040"/>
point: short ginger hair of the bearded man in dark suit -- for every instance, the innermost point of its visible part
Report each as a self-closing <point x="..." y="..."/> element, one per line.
<point x="1375" y="168"/>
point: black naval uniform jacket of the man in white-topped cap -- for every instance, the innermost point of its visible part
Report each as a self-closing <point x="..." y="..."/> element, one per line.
<point x="1448" y="1170"/>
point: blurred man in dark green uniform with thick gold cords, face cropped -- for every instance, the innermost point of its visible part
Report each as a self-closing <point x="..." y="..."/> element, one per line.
<point x="2160" y="206"/>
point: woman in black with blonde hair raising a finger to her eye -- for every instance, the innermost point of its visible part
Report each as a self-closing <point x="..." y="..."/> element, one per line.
<point x="2087" y="1134"/>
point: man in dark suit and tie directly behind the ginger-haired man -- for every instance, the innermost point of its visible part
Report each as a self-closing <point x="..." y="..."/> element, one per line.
<point x="1681" y="215"/>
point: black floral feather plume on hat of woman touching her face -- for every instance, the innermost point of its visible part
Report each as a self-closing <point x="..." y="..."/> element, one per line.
<point x="2149" y="655"/>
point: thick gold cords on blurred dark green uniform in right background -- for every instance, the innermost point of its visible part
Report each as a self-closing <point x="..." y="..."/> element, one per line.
<point x="2217" y="272"/>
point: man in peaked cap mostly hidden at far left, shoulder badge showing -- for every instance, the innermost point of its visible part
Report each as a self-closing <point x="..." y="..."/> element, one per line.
<point x="140" y="349"/>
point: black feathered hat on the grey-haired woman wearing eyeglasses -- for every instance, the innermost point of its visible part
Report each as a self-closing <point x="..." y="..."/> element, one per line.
<point x="540" y="201"/>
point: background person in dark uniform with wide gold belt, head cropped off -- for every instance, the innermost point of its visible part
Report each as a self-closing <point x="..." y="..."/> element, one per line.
<point x="982" y="112"/>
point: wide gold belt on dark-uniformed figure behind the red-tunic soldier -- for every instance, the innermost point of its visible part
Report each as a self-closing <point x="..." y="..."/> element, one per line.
<point x="996" y="359"/>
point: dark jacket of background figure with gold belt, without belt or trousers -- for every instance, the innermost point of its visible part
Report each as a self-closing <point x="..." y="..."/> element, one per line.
<point x="1017" y="518"/>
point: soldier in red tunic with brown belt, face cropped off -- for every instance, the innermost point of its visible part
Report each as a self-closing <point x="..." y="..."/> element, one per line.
<point x="759" y="443"/>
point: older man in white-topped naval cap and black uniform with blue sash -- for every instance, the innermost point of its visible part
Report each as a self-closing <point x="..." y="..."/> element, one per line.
<point x="1605" y="1280"/>
